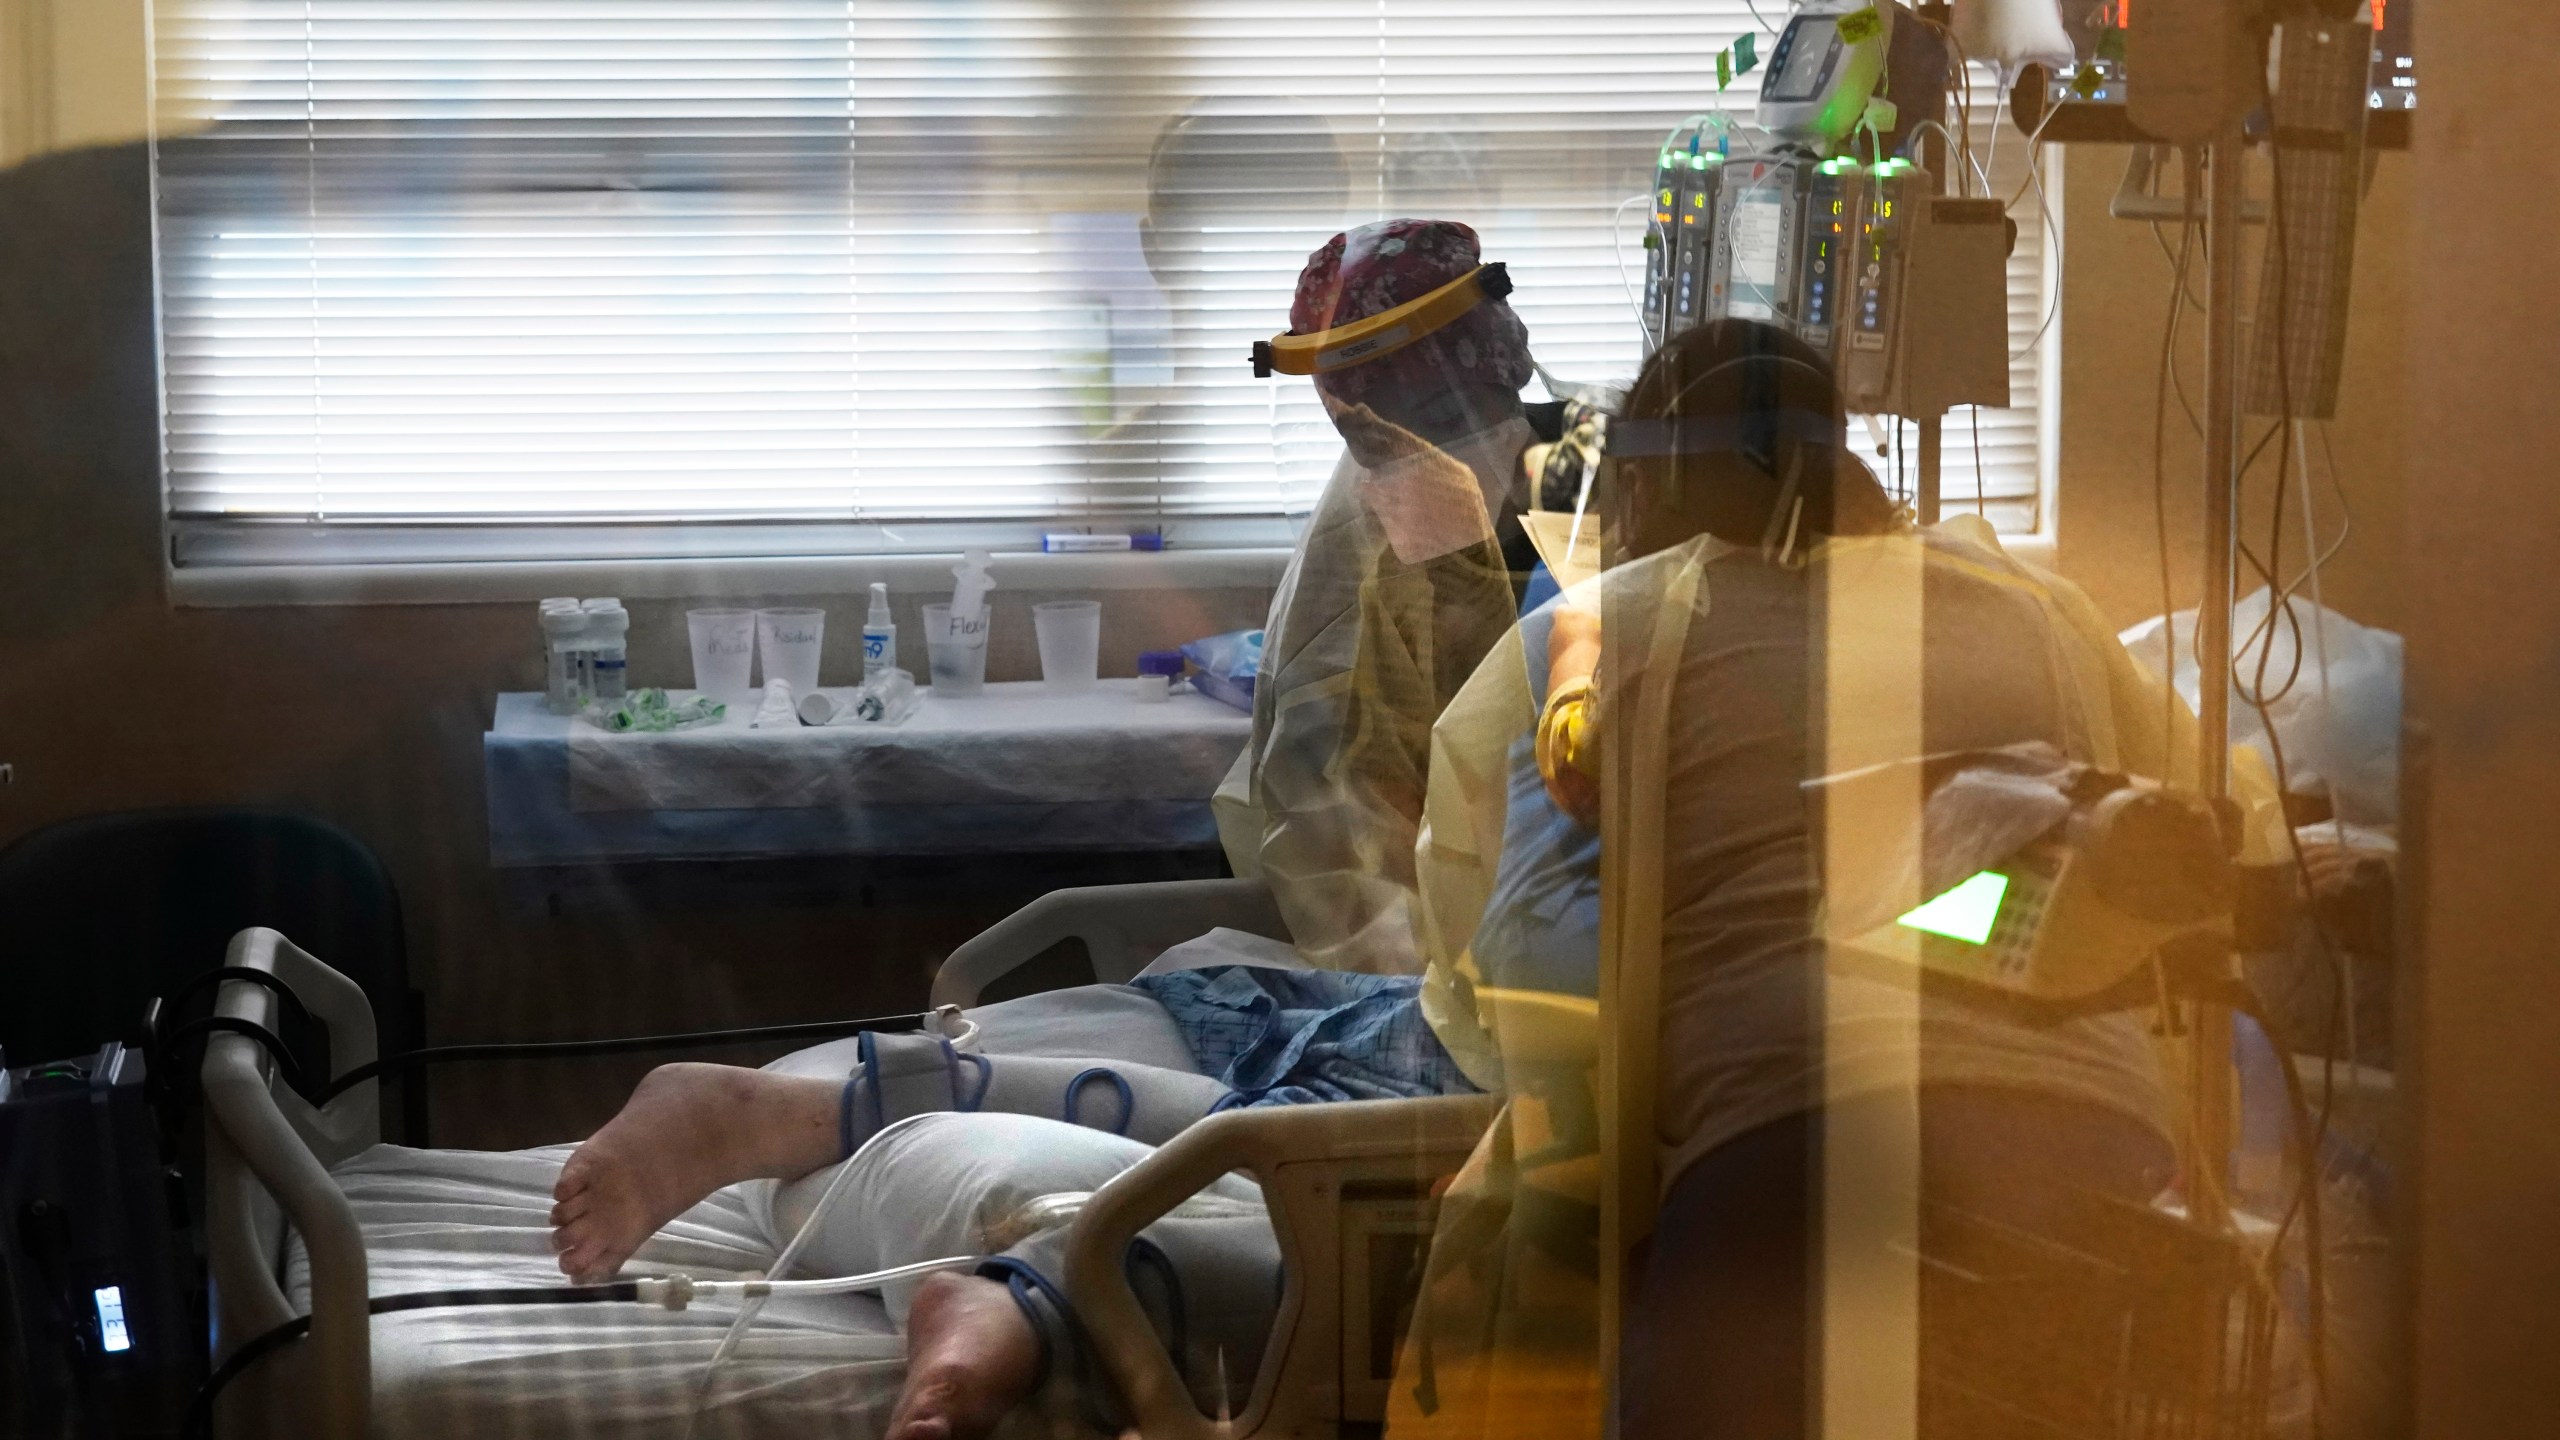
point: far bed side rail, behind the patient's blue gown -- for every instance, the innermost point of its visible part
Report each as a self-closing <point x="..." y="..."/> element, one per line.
<point x="1123" y="929"/>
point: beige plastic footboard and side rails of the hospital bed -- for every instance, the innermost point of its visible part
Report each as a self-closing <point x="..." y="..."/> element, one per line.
<point x="1335" y="1177"/>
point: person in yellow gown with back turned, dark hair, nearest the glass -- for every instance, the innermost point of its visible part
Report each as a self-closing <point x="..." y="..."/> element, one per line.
<point x="1770" y="624"/>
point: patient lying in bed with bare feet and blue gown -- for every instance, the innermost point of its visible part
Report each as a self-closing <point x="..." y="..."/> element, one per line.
<point x="966" y="1141"/>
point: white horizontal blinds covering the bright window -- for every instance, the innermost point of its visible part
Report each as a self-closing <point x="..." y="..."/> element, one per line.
<point x="867" y="270"/>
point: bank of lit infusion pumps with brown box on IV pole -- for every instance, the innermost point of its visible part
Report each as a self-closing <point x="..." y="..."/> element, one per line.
<point x="1901" y="288"/>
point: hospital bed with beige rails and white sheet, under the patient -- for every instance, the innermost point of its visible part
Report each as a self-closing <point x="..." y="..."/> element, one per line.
<point x="308" y="1213"/>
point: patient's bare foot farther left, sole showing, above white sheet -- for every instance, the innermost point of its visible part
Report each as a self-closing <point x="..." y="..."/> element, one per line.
<point x="685" y="1134"/>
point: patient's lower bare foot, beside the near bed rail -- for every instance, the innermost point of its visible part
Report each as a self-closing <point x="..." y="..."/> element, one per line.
<point x="972" y="1357"/>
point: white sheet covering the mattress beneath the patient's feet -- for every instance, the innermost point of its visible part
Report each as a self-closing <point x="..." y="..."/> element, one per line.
<point x="813" y="1367"/>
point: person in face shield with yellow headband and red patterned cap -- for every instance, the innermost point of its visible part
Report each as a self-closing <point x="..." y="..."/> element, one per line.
<point x="1407" y="575"/>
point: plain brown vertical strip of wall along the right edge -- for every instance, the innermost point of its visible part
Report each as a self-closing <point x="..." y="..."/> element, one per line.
<point x="2484" y="650"/>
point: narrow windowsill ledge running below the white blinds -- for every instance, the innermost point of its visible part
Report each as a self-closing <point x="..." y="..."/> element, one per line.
<point x="493" y="583"/>
